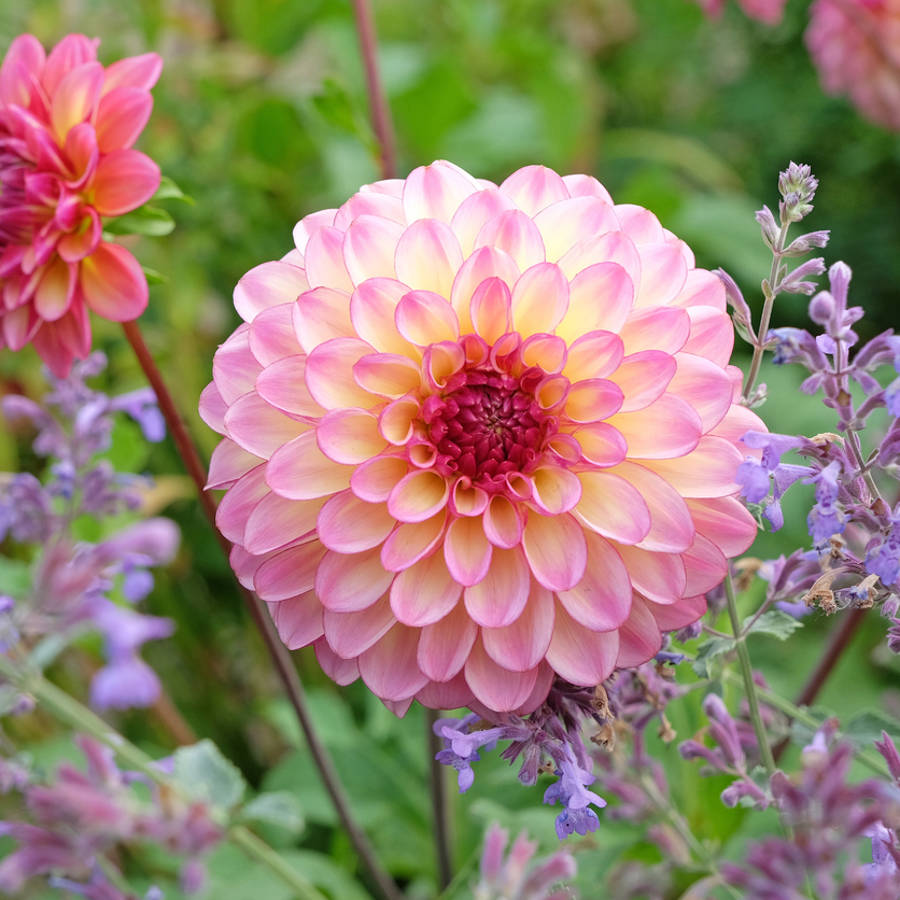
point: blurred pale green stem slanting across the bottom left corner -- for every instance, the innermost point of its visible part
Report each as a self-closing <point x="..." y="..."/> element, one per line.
<point x="78" y="717"/>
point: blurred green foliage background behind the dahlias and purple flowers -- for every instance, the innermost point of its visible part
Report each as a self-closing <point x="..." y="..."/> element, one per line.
<point x="261" y="117"/>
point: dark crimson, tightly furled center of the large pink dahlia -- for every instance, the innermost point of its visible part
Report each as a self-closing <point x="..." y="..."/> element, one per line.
<point x="486" y="426"/>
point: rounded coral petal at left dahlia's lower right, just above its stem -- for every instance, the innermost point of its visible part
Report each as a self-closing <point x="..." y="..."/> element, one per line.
<point x="113" y="283"/>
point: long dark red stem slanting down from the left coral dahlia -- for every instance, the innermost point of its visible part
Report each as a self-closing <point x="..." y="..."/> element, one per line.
<point x="279" y="654"/>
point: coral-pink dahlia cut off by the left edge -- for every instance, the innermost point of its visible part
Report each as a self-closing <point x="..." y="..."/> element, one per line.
<point x="67" y="125"/>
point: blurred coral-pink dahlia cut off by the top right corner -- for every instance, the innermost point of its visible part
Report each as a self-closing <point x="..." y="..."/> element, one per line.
<point x="856" y="46"/>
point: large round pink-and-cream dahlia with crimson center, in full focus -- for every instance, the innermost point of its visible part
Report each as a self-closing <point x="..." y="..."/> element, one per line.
<point x="479" y="437"/>
